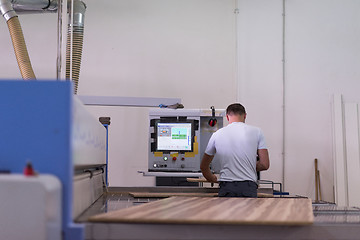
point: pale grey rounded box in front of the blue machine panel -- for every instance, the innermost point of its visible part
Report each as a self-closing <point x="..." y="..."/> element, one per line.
<point x="30" y="207"/>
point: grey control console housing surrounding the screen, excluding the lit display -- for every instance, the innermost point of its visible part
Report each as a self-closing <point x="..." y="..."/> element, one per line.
<point x="178" y="161"/>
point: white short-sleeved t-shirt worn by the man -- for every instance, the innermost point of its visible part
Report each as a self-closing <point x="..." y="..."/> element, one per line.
<point x="236" y="147"/>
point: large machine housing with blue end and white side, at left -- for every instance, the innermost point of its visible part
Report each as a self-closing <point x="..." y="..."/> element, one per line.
<point x="44" y="123"/>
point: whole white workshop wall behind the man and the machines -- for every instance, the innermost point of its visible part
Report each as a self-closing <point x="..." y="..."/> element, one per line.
<point x="187" y="49"/>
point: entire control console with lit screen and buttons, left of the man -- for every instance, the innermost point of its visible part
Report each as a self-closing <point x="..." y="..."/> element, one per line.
<point x="178" y="139"/>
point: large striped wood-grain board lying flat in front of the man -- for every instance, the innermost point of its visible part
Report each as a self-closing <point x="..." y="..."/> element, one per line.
<point x="210" y="210"/>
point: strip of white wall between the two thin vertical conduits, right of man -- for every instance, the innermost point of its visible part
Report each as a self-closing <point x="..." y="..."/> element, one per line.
<point x="260" y="74"/>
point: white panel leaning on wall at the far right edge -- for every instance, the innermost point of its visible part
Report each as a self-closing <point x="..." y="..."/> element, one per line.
<point x="352" y="153"/>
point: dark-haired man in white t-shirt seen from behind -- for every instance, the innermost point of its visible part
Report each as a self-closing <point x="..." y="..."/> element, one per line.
<point x="237" y="145"/>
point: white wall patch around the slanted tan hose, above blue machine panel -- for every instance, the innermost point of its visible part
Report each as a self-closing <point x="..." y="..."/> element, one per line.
<point x="40" y="33"/>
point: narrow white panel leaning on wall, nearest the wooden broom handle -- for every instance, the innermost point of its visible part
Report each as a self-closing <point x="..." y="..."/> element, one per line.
<point x="340" y="180"/>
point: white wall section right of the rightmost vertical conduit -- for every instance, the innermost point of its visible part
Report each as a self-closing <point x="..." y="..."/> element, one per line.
<point x="322" y="56"/>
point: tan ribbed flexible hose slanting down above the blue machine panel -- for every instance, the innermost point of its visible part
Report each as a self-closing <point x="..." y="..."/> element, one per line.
<point x="20" y="49"/>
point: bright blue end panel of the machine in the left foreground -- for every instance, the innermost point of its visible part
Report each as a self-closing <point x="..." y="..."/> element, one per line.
<point x="36" y="125"/>
